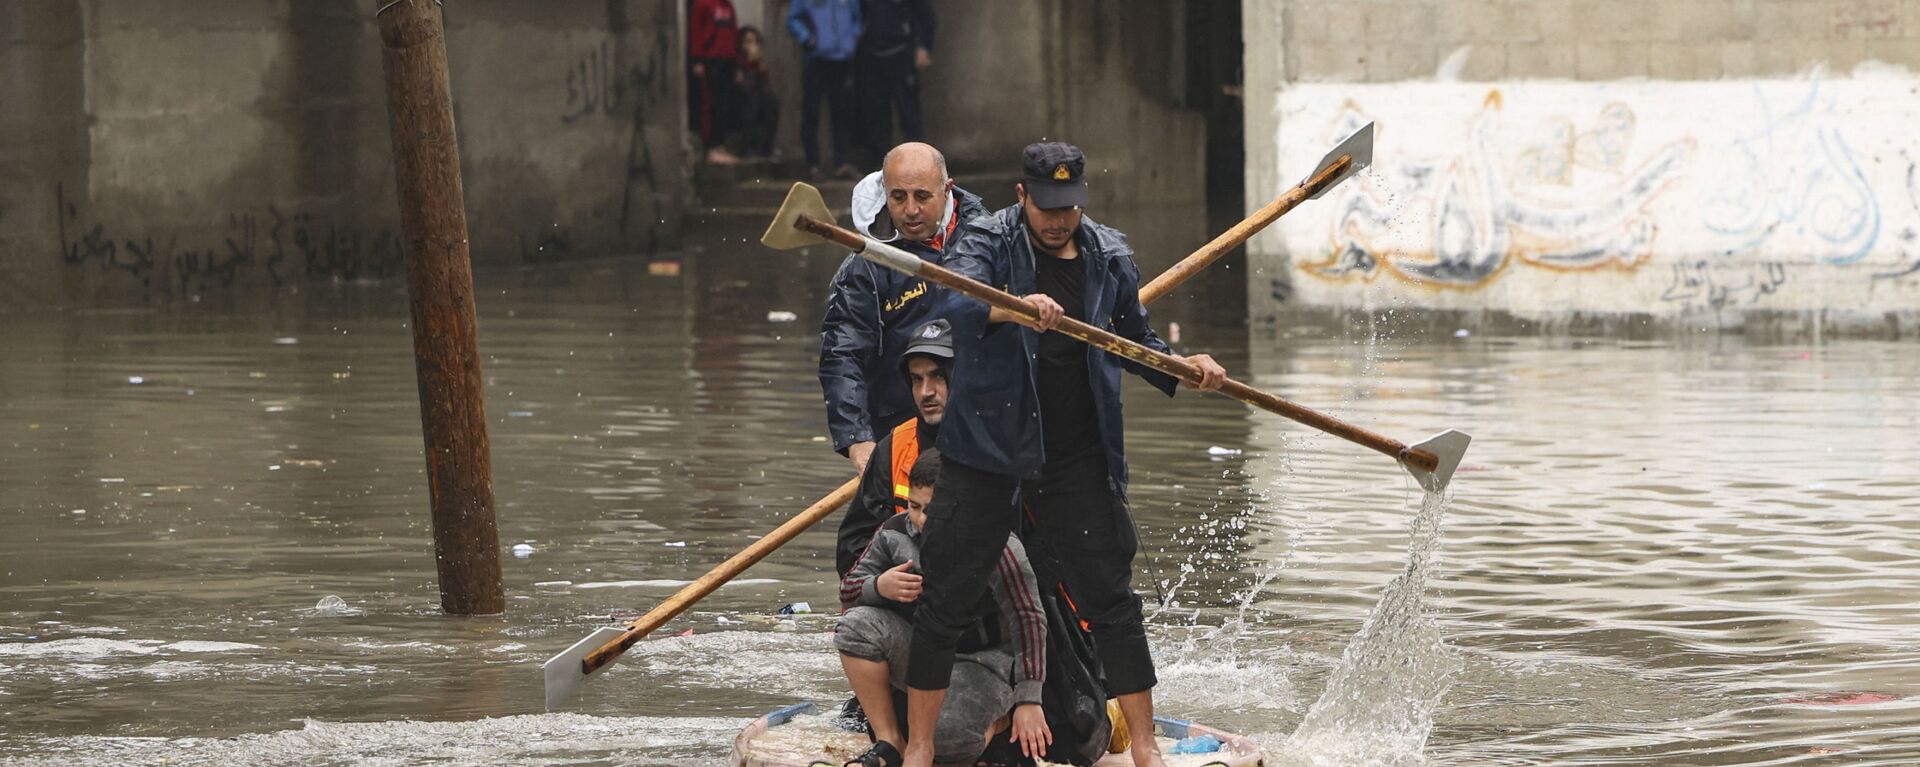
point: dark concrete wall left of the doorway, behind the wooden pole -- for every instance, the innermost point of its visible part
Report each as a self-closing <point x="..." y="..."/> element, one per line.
<point x="191" y="151"/>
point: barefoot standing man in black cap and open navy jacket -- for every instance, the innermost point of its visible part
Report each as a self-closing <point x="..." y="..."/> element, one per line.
<point x="1036" y="416"/>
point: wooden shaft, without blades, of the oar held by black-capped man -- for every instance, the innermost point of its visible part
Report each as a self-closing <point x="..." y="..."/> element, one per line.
<point x="1111" y="343"/>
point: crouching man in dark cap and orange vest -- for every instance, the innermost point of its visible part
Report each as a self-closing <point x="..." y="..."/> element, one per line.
<point x="884" y="483"/>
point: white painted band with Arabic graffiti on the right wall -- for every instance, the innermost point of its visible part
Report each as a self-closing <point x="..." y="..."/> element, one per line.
<point x="1671" y="199"/>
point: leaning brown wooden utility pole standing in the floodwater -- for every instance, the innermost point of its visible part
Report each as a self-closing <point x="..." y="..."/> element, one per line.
<point x="441" y="284"/>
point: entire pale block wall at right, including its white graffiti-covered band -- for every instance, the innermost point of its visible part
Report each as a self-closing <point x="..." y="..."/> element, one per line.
<point x="1700" y="162"/>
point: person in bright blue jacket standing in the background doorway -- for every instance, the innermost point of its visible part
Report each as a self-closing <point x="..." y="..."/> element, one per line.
<point x="830" y="34"/>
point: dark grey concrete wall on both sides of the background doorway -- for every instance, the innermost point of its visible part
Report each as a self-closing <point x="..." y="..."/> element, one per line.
<point x="156" y="151"/>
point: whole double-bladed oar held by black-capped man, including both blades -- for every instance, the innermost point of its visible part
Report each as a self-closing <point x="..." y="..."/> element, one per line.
<point x="805" y="220"/>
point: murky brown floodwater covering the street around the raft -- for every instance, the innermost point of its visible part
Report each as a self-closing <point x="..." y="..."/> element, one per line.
<point x="1660" y="553"/>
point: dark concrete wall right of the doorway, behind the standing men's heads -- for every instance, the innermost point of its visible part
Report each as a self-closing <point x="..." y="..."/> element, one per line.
<point x="1090" y="74"/>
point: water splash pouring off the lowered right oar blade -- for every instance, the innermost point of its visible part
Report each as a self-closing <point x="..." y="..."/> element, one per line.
<point x="1380" y="703"/>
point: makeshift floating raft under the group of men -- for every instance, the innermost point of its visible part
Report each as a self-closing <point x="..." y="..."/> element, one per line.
<point x="805" y="735"/>
